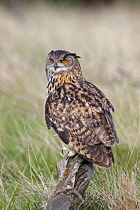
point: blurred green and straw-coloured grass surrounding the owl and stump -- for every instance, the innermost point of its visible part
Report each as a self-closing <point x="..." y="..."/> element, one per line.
<point x="107" y="39"/>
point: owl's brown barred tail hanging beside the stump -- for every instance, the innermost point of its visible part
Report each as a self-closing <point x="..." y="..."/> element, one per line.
<point x="100" y="155"/>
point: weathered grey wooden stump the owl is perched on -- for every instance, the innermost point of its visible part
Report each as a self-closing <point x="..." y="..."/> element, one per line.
<point x="74" y="176"/>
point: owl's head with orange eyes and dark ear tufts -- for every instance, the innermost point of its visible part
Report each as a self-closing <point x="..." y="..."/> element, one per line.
<point x="61" y="61"/>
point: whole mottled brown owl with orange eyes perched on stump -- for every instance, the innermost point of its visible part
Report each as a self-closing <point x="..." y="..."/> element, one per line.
<point x="78" y="111"/>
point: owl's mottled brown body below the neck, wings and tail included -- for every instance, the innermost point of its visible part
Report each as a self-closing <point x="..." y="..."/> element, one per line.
<point x="78" y="115"/>
